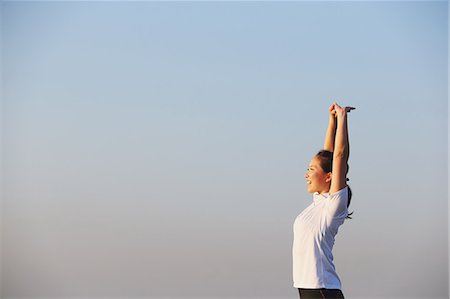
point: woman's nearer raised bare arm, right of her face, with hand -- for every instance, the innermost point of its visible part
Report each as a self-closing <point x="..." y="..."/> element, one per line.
<point x="341" y="150"/>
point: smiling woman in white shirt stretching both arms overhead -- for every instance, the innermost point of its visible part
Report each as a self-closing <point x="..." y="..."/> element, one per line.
<point x="316" y="227"/>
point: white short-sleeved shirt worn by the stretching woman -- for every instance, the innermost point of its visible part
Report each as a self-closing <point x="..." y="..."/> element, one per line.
<point x="314" y="233"/>
